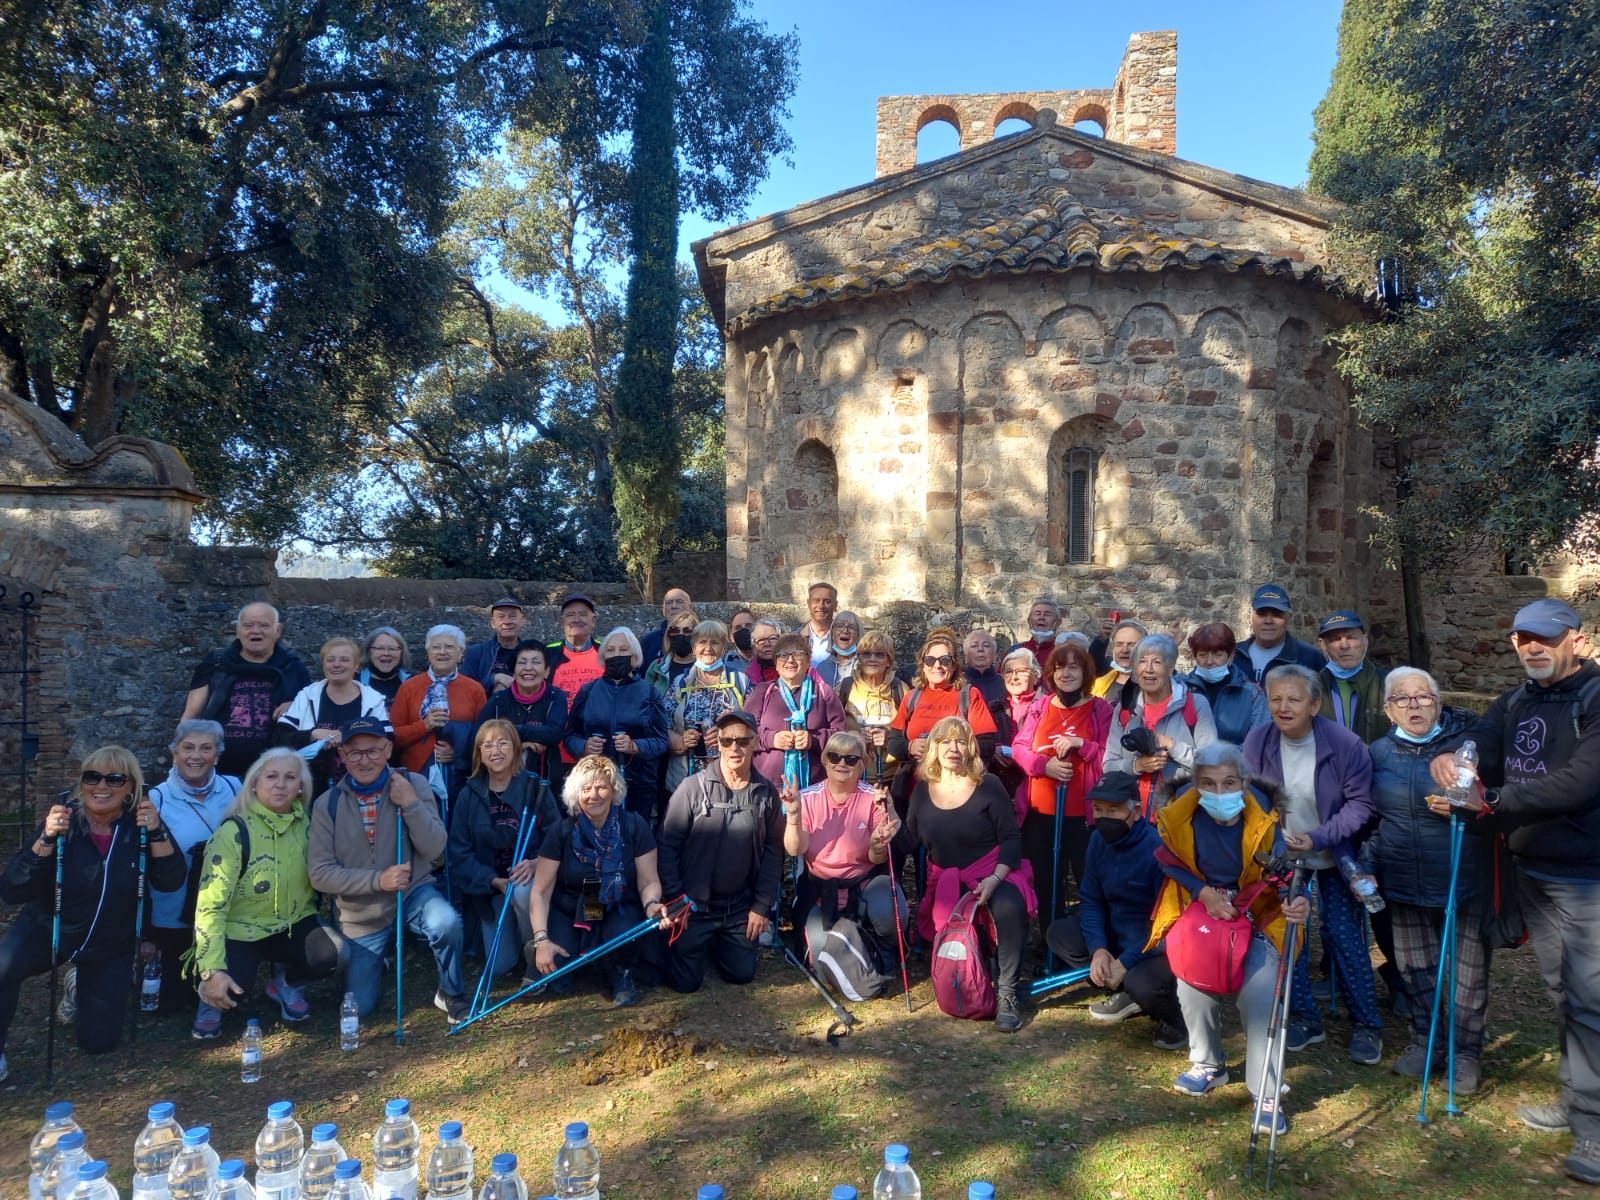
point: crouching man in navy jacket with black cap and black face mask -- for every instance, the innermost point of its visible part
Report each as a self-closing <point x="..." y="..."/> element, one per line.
<point x="1108" y="935"/>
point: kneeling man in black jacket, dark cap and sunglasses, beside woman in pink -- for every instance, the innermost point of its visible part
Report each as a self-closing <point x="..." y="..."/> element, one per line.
<point x="722" y="846"/>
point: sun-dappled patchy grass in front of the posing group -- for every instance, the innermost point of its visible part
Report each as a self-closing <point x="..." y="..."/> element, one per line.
<point x="738" y="1086"/>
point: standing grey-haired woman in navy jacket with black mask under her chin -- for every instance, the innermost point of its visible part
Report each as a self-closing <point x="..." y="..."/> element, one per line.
<point x="625" y="719"/>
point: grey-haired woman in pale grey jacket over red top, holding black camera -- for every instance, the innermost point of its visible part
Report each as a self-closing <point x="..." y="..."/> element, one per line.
<point x="1158" y="722"/>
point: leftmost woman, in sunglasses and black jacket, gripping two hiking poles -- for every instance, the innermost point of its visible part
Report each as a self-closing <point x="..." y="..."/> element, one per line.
<point x="95" y="830"/>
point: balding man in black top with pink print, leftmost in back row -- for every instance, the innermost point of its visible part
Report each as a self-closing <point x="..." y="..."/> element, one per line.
<point x="246" y="687"/>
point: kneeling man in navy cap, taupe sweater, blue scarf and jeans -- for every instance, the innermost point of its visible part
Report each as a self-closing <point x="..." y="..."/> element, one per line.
<point x="354" y="860"/>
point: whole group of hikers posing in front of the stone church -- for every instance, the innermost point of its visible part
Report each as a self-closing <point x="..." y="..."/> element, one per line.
<point x="1082" y="786"/>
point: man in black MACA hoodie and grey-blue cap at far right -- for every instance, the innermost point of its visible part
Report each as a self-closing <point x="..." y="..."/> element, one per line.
<point x="1540" y="759"/>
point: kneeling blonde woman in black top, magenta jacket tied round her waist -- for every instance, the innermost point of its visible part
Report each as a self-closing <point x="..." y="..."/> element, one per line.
<point x="966" y="822"/>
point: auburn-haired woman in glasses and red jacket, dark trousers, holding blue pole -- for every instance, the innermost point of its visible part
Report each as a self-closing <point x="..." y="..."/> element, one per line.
<point x="1060" y="748"/>
